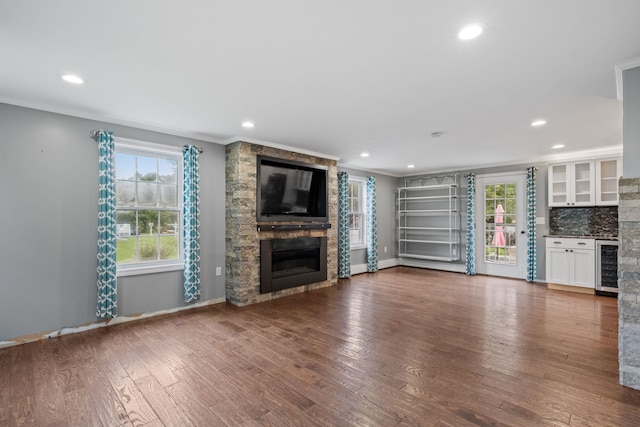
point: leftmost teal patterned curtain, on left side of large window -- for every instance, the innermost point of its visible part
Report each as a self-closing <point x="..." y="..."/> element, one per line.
<point x="107" y="281"/>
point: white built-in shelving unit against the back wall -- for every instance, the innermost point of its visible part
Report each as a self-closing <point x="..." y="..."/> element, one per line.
<point x="428" y="210"/>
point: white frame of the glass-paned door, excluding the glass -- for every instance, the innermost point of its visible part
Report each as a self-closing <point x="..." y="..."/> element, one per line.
<point x="519" y="270"/>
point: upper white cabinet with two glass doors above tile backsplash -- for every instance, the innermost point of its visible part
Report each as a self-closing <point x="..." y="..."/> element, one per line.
<point x="572" y="184"/>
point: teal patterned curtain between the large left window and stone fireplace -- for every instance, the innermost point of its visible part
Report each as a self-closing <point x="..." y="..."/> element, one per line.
<point x="191" y="222"/>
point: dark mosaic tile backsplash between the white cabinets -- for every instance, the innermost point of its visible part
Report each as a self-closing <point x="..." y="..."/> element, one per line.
<point x="590" y="221"/>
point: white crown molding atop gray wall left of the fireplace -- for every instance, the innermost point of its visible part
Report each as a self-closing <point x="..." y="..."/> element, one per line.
<point x="116" y="120"/>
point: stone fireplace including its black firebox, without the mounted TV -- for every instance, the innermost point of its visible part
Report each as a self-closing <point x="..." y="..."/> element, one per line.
<point x="246" y="238"/>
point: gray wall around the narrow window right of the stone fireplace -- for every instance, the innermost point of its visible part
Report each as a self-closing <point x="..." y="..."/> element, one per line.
<point x="385" y="210"/>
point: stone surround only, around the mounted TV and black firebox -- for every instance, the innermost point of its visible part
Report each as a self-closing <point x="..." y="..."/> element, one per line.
<point x="242" y="236"/>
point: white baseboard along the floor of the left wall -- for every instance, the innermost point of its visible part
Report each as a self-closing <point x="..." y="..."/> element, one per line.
<point x="101" y="324"/>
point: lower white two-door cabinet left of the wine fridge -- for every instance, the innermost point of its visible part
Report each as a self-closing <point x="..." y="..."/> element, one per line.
<point x="571" y="262"/>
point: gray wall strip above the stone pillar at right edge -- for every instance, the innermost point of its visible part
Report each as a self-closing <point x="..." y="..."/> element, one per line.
<point x="631" y="126"/>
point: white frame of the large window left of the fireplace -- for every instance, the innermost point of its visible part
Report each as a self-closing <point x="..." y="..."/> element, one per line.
<point x="130" y="146"/>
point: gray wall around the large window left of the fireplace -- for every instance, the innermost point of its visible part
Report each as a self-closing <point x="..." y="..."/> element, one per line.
<point x="48" y="188"/>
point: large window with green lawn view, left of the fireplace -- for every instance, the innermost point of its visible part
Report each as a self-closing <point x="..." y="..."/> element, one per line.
<point x="148" y="207"/>
